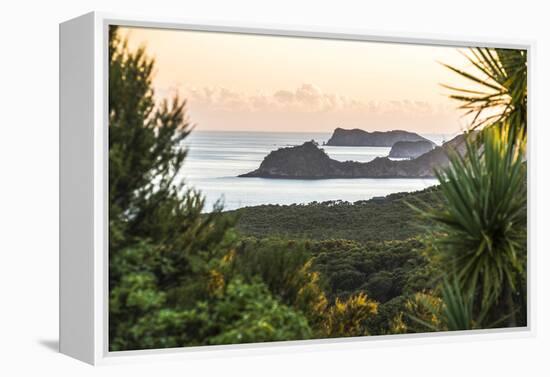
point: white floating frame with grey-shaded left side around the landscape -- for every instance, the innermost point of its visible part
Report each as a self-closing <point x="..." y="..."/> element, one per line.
<point x="84" y="189"/>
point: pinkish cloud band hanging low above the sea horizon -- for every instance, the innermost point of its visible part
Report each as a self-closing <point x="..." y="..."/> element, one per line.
<point x="309" y="103"/>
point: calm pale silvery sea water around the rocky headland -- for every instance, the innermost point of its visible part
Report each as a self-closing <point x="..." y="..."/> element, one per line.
<point x="215" y="160"/>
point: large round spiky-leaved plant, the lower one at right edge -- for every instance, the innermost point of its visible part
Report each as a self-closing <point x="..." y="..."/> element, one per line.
<point x="480" y="233"/>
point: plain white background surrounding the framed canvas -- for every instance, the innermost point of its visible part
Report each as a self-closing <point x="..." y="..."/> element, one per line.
<point x="29" y="185"/>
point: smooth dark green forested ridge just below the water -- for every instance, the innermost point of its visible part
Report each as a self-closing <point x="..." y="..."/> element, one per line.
<point x="379" y="219"/>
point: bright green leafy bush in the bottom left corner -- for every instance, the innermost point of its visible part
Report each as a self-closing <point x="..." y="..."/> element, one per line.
<point x="240" y="313"/>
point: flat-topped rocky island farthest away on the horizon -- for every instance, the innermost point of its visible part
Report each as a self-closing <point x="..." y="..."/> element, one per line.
<point x="360" y="138"/>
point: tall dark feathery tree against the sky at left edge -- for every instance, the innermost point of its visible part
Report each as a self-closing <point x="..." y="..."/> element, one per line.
<point x="147" y="198"/>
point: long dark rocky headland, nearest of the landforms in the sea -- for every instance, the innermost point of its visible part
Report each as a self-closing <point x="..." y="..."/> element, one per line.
<point x="308" y="161"/>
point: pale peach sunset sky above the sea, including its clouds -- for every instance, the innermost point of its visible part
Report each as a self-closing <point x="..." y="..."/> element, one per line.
<point x="248" y="82"/>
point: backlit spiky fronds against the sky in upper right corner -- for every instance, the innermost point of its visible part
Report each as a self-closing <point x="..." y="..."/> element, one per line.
<point x="500" y="93"/>
